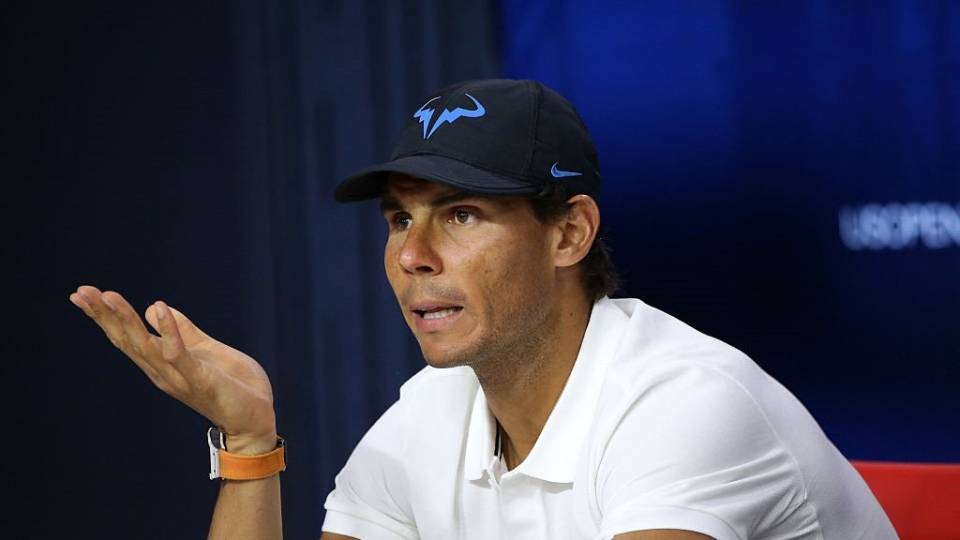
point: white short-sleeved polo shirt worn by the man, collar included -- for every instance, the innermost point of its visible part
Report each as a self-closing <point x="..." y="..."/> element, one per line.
<point x="658" y="427"/>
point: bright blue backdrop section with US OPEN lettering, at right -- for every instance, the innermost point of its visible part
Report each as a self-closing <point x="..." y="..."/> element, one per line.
<point x="785" y="177"/>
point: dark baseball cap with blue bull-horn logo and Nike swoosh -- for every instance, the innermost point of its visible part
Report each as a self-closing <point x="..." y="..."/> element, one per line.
<point x="491" y="137"/>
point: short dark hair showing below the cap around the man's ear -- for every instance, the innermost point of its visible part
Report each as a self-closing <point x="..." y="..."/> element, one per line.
<point x="599" y="274"/>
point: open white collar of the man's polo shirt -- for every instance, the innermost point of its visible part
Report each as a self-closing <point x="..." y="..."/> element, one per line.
<point x="554" y="456"/>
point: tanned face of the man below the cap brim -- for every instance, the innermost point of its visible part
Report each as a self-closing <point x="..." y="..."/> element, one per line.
<point x="474" y="275"/>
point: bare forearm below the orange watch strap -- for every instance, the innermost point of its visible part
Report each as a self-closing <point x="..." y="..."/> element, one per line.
<point x="248" y="509"/>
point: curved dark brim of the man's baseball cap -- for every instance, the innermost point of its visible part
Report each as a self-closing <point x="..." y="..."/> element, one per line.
<point x="369" y="183"/>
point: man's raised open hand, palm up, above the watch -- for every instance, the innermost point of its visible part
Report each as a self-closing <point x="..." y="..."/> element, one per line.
<point x="216" y="380"/>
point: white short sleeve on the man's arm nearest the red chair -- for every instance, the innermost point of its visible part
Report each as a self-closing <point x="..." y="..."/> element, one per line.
<point x="695" y="452"/>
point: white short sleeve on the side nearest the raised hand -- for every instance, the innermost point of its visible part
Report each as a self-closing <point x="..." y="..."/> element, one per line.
<point x="370" y="497"/>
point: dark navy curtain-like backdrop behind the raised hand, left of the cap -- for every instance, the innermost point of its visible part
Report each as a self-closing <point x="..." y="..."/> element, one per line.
<point x="188" y="152"/>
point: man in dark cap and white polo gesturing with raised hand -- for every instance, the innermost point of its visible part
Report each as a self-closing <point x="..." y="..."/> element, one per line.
<point x="547" y="410"/>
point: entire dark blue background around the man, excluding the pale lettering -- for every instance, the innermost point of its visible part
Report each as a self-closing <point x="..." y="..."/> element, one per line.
<point x="188" y="152"/>
